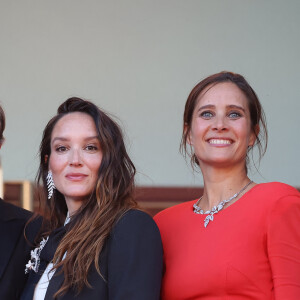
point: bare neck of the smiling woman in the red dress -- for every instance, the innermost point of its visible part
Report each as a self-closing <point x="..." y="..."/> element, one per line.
<point x="221" y="184"/>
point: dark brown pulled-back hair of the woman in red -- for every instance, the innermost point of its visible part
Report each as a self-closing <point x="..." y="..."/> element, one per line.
<point x="257" y="115"/>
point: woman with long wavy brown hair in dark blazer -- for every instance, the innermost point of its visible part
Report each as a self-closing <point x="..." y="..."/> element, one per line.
<point x="97" y="243"/>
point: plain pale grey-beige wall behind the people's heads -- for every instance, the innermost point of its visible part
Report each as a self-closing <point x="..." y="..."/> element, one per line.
<point x="139" y="60"/>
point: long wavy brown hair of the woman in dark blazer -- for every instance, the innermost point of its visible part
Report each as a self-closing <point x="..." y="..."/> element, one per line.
<point x="111" y="198"/>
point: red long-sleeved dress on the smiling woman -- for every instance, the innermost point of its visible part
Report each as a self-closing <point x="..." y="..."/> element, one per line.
<point x="250" y="251"/>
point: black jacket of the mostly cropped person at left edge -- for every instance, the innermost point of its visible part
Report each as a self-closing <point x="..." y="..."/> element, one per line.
<point x="14" y="250"/>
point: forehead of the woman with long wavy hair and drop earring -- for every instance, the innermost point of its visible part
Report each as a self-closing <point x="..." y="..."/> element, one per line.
<point x="74" y="124"/>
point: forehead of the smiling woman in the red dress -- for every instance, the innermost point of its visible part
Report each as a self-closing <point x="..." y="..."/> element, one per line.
<point x="226" y="93"/>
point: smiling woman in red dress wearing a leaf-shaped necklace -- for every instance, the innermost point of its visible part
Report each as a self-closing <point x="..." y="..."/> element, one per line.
<point x="240" y="239"/>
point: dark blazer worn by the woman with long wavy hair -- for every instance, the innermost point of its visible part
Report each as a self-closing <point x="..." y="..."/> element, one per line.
<point x="130" y="262"/>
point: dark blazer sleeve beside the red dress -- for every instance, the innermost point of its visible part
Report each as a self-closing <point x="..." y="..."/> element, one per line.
<point x="135" y="258"/>
